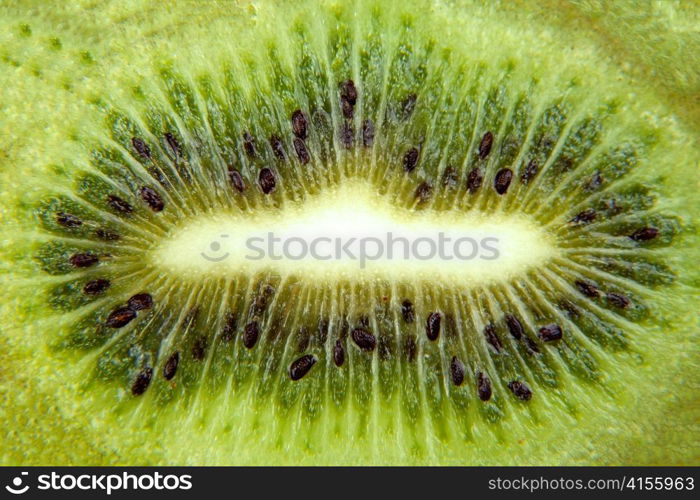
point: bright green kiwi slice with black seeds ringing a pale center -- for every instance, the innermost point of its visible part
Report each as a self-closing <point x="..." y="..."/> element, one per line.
<point x="133" y="135"/>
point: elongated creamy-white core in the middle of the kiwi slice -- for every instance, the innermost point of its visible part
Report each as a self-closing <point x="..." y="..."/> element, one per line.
<point x="350" y="233"/>
